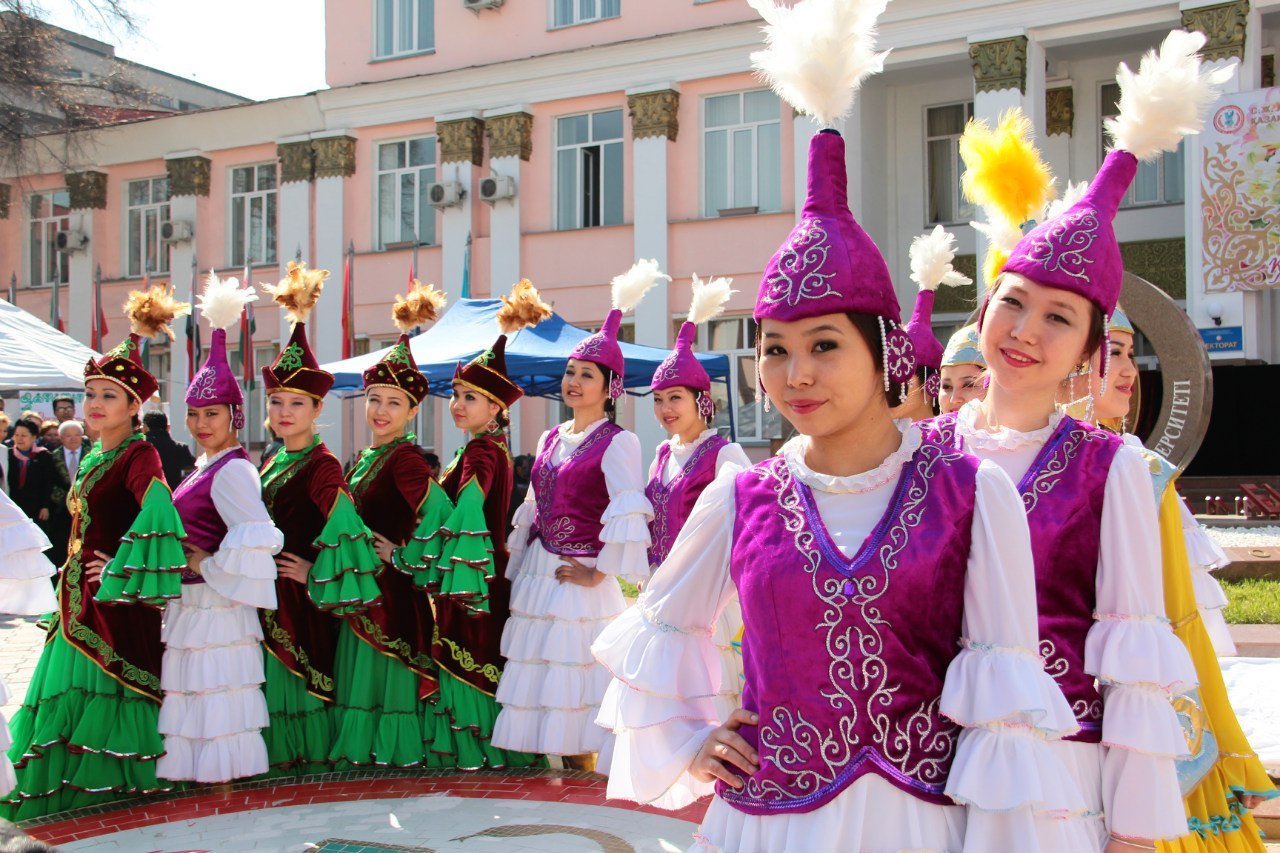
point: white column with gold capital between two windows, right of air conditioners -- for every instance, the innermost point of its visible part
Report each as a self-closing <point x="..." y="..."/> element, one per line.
<point x="653" y="129"/>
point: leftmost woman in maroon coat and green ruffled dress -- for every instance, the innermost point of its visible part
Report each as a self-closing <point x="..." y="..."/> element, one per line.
<point x="88" y="731"/>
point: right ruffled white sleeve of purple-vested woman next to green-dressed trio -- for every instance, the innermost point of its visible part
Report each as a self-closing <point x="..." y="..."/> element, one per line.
<point x="627" y="521"/>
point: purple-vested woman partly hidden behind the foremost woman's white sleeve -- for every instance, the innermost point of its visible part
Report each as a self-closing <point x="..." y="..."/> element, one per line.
<point x="687" y="464"/>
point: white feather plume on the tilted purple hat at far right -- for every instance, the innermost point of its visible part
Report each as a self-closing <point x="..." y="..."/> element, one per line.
<point x="1167" y="98"/>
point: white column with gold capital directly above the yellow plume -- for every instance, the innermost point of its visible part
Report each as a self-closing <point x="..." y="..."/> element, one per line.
<point x="1009" y="72"/>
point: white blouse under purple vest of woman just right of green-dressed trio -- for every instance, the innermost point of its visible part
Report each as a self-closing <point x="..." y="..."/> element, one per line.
<point x="625" y="535"/>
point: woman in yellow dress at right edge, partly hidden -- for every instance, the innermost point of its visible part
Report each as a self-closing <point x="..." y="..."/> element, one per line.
<point x="1223" y="779"/>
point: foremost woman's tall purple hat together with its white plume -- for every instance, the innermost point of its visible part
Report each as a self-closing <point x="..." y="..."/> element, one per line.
<point x="817" y="56"/>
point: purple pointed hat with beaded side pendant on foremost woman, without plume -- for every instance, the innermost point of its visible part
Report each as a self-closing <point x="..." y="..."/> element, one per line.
<point x="829" y="264"/>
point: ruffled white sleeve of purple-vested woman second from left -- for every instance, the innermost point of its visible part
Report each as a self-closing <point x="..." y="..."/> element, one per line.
<point x="243" y="569"/>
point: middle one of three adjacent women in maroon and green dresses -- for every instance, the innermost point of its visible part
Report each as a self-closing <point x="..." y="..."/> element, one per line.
<point x="385" y="653"/>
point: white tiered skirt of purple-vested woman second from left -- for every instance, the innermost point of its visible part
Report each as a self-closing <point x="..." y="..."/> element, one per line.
<point x="212" y="674"/>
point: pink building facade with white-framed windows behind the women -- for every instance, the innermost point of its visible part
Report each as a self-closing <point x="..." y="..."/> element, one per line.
<point x="616" y="130"/>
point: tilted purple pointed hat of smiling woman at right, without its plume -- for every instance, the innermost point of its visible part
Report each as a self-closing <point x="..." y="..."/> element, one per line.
<point x="1077" y="250"/>
